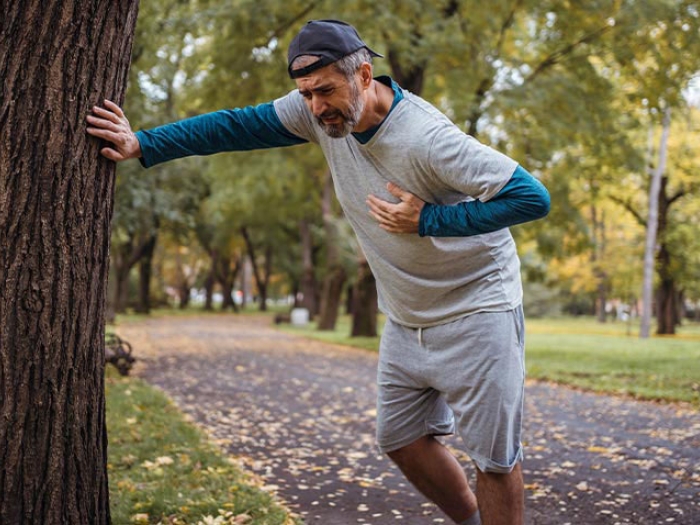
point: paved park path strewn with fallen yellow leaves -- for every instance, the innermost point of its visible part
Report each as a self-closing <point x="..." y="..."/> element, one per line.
<point x="300" y="414"/>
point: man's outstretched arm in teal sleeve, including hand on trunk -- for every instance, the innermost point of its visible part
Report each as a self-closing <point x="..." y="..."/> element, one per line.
<point x="253" y="127"/>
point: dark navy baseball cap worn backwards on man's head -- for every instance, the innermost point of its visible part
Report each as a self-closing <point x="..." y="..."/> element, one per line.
<point x="329" y="40"/>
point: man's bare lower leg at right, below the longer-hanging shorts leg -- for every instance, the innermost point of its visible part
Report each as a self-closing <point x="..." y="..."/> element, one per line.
<point x="501" y="497"/>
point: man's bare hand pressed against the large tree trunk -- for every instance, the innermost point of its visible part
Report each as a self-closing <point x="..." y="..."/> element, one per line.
<point x="110" y="124"/>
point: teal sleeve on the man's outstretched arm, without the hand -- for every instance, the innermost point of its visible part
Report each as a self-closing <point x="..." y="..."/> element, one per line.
<point x="253" y="127"/>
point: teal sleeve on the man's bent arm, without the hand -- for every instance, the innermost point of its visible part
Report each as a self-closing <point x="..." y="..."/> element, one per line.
<point x="522" y="199"/>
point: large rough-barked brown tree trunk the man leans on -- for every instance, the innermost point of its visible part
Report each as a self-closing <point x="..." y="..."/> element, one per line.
<point x="57" y="59"/>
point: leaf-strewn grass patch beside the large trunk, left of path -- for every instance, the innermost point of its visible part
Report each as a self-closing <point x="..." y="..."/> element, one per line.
<point x="162" y="469"/>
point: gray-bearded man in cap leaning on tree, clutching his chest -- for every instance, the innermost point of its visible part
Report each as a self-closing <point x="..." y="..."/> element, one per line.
<point x="431" y="208"/>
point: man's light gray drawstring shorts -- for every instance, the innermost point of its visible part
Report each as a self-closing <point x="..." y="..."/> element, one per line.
<point x="468" y="374"/>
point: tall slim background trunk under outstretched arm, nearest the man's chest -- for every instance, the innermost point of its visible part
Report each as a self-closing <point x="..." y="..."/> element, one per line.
<point x="335" y="273"/>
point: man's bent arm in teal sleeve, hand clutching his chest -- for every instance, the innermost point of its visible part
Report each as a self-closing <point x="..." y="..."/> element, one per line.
<point x="522" y="199"/>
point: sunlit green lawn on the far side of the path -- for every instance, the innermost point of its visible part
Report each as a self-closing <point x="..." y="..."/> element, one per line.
<point x="583" y="353"/>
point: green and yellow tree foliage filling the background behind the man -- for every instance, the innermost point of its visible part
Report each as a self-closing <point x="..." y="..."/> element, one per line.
<point x="566" y="88"/>
